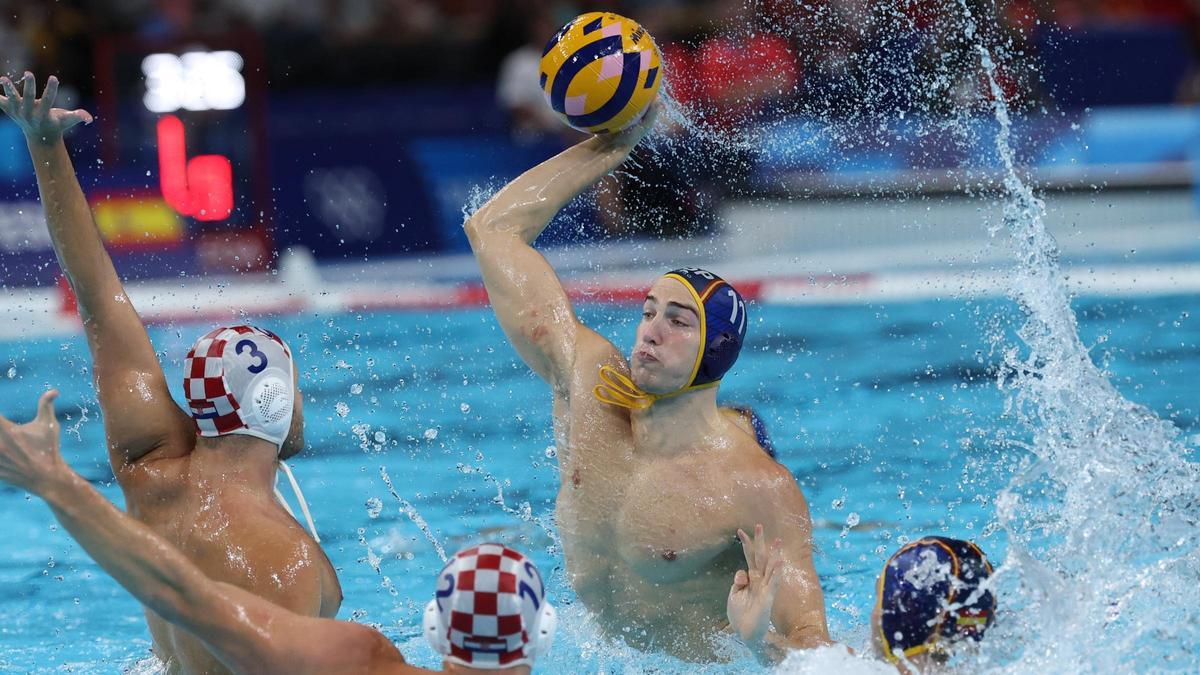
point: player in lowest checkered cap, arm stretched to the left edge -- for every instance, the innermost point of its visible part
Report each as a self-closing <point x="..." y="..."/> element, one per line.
<point x="490" y="612"/>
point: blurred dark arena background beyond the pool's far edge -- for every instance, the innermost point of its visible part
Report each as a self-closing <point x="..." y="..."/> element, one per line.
<point x="359" y="132"/>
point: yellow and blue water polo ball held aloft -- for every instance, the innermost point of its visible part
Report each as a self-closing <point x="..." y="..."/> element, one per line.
<point x="601" y="73"/>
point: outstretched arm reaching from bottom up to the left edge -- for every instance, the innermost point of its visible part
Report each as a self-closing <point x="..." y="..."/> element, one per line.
<point x="245" y="632"/>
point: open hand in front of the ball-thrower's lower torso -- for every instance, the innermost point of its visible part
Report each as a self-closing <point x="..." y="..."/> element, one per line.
<point x="754" y="590"/>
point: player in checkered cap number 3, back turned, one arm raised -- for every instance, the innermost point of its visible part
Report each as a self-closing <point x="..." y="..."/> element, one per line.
<point x="205" y="482"/>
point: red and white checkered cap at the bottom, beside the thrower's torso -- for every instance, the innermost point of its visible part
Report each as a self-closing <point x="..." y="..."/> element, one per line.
<point x="490" y="611"/>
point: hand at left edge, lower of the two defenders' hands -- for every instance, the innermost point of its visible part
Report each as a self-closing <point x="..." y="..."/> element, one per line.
<point x="29" y="453"/>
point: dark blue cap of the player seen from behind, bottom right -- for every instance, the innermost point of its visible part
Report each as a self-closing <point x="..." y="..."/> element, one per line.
<point x="929" y="592"/>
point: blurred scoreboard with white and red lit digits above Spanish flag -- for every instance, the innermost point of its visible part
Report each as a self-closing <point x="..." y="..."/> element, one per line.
<point x="184" y="138"/>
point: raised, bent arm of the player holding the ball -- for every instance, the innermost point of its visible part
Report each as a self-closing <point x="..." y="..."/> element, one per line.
<point x="527" y="296"/>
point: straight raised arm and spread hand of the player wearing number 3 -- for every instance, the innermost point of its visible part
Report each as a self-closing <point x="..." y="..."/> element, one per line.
<point x="140" y="414"/>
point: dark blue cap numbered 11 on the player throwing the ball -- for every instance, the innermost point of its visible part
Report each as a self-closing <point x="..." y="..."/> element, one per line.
<point x="723" y="320"/>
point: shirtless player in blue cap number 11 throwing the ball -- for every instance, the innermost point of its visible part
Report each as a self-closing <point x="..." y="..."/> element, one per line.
<point x="656" y="480"/>
